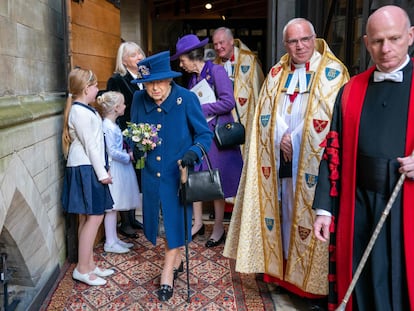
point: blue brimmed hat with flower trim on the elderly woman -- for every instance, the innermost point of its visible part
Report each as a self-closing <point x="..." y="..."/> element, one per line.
<point x="154" y="68"/>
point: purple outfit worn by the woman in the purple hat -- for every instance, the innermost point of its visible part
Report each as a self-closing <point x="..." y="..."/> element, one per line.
<point x="229" y="161"/>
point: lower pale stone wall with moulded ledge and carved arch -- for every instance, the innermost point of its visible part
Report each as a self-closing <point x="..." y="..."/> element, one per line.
<point x="32" y="229"/>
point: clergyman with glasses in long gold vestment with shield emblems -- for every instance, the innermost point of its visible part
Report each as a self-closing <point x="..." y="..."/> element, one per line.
<point x="271" y="227"/>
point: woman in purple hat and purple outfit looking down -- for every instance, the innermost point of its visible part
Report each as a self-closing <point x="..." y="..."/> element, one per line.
<point x="190" y="52"/>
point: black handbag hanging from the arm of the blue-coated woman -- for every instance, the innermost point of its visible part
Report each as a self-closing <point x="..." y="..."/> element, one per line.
<point x="202" y="185"/>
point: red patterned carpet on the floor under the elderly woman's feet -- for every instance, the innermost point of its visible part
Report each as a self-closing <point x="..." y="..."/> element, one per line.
<point x="214" y="285"/>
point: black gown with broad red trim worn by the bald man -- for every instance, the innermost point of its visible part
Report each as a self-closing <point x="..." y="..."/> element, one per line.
<point x="356" y="178"/>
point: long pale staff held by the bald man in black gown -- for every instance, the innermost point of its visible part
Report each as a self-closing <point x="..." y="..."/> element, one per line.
<point x="371" y="242"/>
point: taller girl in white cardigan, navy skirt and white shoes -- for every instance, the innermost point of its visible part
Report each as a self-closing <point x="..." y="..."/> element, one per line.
<point x="85" y="184"/>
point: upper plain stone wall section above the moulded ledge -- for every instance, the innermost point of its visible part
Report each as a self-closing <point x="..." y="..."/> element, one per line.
<point x="32" y="53"/>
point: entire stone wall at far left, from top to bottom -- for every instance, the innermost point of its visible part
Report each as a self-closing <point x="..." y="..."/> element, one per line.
<point x="32" y="83"/>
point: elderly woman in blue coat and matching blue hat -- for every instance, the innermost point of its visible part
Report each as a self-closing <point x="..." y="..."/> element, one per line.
<point x="177" y="113"/>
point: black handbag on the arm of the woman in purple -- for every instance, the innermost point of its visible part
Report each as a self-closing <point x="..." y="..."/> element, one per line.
<point x="230" y="134"/>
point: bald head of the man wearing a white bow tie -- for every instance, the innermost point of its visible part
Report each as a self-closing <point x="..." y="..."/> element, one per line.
<point x="388" y="37"/>
